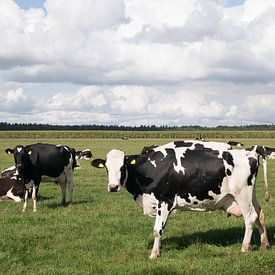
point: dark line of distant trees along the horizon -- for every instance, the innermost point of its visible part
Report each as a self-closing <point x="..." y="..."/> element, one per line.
<point x="5" y="126"/>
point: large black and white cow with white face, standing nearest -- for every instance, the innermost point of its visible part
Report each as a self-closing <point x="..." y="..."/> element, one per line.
<point x="189" y="176"/>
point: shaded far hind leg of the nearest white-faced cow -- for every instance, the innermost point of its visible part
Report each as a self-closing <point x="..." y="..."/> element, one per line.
<point x="260" y="222"/>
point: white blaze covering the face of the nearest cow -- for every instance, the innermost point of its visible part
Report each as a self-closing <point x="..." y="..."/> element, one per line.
<point x="114" y="162"/>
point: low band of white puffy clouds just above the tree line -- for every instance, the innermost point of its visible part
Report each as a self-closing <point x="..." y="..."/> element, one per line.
<point x="133" y="105"/>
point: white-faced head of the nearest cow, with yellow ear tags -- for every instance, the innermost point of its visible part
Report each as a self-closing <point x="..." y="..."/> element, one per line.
<point x="116" y="165"/>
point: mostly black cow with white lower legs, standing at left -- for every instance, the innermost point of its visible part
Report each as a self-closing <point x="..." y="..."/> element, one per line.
<point x="37" y="160"/>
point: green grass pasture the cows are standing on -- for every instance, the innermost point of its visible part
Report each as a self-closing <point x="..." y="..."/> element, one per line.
<point x="107" y="233"/>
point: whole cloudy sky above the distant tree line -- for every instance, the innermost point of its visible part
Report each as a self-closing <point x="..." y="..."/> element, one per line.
<point x="137" y="62"/>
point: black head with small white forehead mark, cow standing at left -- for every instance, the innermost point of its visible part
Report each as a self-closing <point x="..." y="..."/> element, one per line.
<point x="21" y="157"/>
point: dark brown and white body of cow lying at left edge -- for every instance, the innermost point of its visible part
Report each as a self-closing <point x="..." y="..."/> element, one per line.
<point x="12" y="188"/>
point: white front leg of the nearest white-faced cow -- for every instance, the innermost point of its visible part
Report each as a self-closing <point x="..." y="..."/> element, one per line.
<point x="161" y="218"/>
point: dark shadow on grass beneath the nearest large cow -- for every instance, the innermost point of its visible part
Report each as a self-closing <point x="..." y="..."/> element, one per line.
<point x="218" y="237"/>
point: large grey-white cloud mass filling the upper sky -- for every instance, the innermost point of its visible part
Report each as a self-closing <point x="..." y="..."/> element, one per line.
<point x="116" y="41"/>
